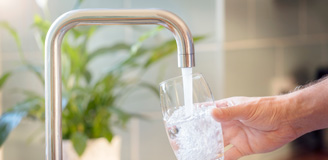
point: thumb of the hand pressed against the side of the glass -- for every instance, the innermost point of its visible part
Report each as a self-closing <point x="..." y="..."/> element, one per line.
<point x="224" y="114"/>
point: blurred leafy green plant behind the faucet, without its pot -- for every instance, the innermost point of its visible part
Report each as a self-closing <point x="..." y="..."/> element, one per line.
<point x="91" y="104"/>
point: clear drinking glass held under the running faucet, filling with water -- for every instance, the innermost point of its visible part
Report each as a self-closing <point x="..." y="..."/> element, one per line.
<point x="191" y="130"/>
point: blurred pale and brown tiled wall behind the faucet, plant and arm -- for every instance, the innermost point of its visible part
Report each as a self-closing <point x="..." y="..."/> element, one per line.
<point x="252" y="48"/>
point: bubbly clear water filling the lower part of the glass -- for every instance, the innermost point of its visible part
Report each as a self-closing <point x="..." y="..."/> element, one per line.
<point x="197" y="136"/>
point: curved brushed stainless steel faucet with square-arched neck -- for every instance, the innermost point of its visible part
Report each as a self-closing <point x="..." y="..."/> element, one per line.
<point x="71" y="19"/>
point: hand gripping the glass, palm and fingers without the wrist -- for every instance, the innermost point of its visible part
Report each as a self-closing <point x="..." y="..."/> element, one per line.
<point x="254" y="125"/>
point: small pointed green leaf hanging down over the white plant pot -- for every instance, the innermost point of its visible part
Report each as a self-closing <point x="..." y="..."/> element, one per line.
<point x="79" y="141"/>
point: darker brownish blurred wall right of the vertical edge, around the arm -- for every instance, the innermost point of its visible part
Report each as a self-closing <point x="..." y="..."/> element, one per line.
<point x="271" y="47"/>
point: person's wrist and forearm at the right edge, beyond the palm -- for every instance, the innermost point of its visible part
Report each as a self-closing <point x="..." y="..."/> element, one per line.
<point x="308" y="108"/>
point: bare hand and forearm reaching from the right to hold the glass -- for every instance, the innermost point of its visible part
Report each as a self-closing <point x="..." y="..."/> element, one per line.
<point x="263" y="124"/>
